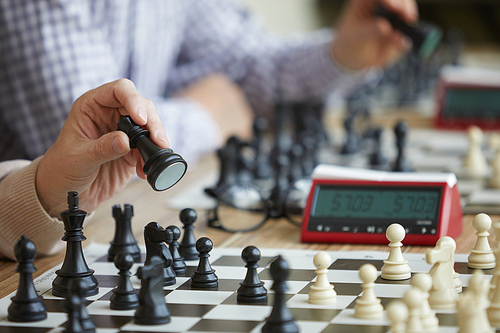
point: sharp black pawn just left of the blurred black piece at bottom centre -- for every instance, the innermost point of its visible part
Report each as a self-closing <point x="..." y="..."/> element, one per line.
<point x="251" y="290"/>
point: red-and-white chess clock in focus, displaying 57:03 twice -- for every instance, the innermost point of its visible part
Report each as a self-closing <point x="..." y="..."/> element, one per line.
<point x="350" y="205"/>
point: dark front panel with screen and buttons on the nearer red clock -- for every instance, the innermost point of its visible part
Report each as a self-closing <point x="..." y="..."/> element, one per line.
<point x="370" y="208"/>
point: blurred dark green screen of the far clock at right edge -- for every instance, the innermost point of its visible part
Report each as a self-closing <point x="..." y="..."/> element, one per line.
<point x="472" y="103"/>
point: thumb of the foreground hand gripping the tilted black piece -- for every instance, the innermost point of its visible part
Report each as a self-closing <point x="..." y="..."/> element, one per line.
<point x="109" y="147"/>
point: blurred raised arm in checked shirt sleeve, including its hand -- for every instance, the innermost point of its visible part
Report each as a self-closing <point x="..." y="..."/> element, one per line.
<point x="222" y="36"/>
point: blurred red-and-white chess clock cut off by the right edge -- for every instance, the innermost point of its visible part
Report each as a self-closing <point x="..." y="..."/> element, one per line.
<point x="467" y="96"/>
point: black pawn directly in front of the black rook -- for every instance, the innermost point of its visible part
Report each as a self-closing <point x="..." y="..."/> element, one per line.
<point x="124" y="296"/>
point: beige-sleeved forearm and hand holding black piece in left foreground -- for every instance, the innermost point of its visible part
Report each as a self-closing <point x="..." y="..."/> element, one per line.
<point x="89" y="157"/>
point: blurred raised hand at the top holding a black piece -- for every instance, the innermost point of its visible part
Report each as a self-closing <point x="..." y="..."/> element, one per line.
<point x="365" y="40"/>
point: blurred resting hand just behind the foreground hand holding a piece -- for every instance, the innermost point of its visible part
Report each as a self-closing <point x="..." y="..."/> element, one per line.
<point x="226" y="102"/>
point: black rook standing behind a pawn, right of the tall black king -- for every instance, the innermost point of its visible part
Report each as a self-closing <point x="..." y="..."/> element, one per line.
<point x="124" y="240"/>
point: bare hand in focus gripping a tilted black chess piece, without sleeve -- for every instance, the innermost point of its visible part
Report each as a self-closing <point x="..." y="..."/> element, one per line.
<point x="90" y="156"/>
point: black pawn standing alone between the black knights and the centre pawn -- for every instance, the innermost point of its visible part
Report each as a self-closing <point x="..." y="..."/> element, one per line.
<point x="204" y="276"/>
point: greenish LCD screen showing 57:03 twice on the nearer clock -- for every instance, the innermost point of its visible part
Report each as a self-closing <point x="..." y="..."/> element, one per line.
<point x="376" y="203"/>
